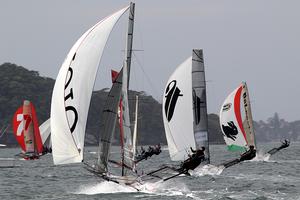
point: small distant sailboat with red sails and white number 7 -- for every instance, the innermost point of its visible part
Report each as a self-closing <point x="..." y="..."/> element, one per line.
<point x="27" y="132"/>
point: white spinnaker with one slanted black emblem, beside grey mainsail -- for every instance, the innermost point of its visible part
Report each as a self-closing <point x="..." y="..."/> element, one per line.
<point x="178" y="112"/>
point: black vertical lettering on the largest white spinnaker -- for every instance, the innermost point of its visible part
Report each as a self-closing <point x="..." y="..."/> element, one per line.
<point x="69" y="92"/>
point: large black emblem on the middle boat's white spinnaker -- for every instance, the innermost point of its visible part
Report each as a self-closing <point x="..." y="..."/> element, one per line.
<point x="172" y="93"/>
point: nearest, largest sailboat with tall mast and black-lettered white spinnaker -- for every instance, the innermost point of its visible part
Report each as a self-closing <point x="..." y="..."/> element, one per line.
<point x="71" y="99"/>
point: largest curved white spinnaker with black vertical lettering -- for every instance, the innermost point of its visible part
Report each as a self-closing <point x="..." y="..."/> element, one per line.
<point x="73" y="89"/>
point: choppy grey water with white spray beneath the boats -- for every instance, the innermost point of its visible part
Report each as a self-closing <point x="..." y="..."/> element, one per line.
<point x="277" y="177"/>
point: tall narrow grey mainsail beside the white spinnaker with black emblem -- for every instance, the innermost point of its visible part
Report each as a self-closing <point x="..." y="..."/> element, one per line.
<point x="200" y="123"/>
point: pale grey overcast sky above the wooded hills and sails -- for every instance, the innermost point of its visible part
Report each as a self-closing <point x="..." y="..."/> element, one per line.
<point x="254" y="41"/>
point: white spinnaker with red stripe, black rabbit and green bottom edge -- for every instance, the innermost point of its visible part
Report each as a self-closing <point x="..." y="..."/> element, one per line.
<point x="232" y="131"/>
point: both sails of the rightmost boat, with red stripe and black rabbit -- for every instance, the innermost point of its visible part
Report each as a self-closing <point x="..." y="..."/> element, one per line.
<point x="236" y="120"/>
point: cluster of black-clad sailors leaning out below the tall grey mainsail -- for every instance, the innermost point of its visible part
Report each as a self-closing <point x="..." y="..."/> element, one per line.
<point x="193" y="161"/>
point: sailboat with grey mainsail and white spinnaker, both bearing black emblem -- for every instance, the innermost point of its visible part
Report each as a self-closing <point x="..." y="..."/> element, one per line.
<point x="185" y="111"/>
